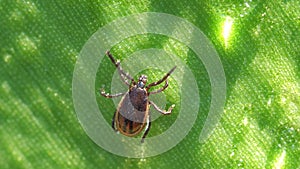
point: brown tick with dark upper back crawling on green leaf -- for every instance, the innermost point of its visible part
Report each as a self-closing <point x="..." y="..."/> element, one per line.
<point x="132" y="114"/>
